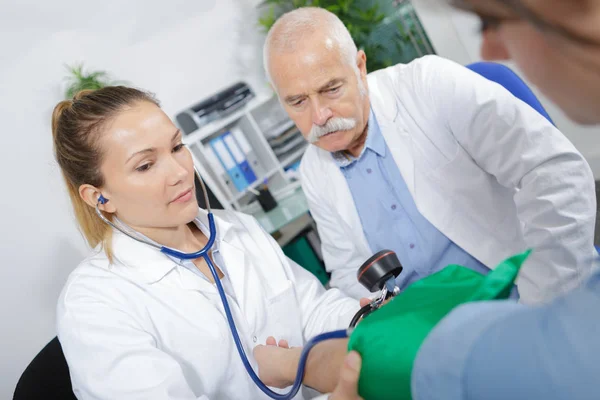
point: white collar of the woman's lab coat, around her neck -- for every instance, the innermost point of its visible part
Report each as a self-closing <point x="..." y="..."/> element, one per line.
<point x="148" y="262"/>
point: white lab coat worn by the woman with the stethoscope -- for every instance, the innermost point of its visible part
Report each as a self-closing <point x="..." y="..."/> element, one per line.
<point x="146" y="327"/>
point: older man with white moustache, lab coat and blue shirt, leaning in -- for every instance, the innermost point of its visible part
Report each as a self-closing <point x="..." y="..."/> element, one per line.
<point x="429" y="160"/>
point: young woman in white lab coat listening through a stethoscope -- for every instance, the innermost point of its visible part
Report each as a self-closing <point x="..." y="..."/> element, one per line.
<point x="135" y="323"/>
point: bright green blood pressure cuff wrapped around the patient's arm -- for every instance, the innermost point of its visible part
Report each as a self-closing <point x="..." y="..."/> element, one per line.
<point x="389" y="338"/>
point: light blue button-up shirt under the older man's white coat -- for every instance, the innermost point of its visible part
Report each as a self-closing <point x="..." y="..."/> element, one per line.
<point x="389" y="215"/>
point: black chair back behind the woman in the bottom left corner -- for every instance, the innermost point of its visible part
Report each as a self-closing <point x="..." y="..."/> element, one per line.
<point x="46" y="377"/>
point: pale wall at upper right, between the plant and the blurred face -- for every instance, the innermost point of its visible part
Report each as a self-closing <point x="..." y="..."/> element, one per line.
<point x="455" y="36"/>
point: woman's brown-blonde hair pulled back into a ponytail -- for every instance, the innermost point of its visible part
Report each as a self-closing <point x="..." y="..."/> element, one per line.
<point x="76" y="129"/>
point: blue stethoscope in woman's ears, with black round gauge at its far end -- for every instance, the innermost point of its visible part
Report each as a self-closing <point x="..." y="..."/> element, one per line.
<point x="379" y="271"/>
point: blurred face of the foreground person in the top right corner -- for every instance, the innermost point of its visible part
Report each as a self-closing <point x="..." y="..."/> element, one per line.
<point x="559" y="37"/>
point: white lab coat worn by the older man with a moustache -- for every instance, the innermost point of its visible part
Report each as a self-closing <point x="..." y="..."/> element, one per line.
<point x="482" y="166"/>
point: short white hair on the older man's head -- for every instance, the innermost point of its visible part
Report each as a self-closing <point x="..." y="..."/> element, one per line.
<point x="295" y="26"/>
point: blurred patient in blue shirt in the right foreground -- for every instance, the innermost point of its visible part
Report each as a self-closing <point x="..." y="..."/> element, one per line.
<point x="502" y="350"/>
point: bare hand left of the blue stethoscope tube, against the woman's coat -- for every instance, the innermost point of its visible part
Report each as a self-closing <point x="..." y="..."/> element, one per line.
<point x="277" y="363"/>
